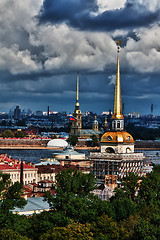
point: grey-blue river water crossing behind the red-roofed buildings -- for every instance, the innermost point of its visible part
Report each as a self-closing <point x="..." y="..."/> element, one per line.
<point x="35" y="155"/>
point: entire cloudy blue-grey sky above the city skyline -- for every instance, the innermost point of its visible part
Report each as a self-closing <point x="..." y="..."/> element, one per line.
<point x="43" y="43"/>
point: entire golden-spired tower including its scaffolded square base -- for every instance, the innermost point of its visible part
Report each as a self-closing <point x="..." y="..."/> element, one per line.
<point x="116" y="157"/>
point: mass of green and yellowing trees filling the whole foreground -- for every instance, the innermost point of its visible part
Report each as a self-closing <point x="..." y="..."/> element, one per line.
<point x="132" y="214"/>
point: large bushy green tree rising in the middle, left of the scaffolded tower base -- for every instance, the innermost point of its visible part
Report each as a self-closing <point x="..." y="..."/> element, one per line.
<point x="70" y="183"/>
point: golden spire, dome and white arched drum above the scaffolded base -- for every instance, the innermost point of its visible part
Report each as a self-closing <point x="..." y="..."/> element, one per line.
<point x="117" y="140"/>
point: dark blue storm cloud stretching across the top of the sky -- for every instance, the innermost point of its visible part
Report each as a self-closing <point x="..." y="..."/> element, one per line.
<point x="79" y="14"/>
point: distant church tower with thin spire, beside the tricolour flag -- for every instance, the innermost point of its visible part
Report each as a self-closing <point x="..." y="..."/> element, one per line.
<point x="77" y="125"/>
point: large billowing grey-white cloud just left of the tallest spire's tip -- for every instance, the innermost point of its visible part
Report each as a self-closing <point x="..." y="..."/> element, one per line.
<point x="65" y="48"/>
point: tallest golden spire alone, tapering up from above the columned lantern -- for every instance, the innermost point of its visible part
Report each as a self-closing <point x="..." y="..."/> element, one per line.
<point x="117" y="114"/>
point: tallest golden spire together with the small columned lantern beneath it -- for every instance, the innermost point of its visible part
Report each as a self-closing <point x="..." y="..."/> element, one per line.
<point x="117" y="117"/>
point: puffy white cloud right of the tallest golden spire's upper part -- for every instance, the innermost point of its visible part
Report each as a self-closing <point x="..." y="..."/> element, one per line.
<point x="144" y="55"/>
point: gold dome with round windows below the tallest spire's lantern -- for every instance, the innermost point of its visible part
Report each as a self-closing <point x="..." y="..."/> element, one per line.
<point x="117" y="137"/>
